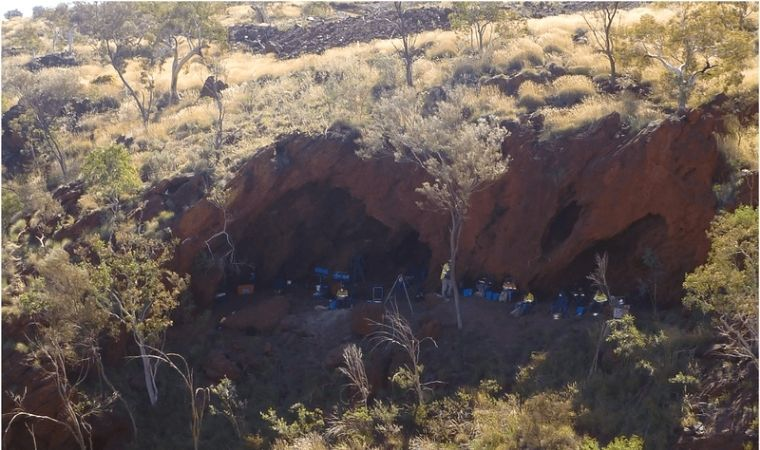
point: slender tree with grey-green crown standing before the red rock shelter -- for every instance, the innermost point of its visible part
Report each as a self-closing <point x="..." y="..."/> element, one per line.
<point x="461" y="157"/>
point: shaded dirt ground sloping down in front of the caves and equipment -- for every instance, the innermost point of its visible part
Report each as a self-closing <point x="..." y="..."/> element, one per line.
<point x="308" y="339"/>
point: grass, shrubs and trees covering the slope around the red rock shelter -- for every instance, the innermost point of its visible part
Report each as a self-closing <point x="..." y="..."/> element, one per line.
<point x="136" y="109"/>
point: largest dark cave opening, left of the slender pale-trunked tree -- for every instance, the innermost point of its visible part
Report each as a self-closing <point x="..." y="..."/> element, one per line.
<point x="321" y="225"/>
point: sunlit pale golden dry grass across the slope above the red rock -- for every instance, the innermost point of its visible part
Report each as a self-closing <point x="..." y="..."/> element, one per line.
<point x="268" y="97"/>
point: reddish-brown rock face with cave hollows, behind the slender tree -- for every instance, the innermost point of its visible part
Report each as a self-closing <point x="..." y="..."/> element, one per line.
<point x="307" y="201"/>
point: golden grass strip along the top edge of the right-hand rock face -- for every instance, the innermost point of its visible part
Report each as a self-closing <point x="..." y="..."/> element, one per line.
<point x="635" y="113"/>
